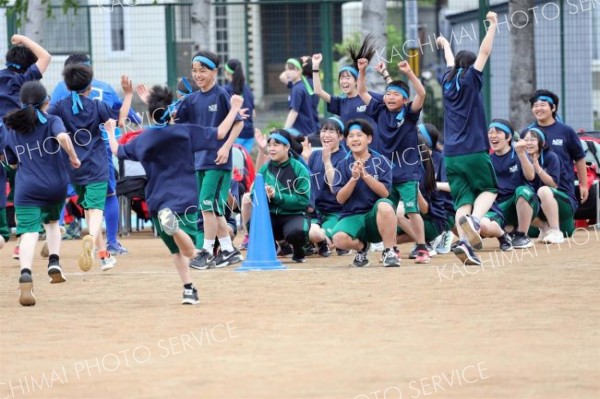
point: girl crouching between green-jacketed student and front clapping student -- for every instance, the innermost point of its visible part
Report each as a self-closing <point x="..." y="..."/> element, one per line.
<point x="322" y="165"/>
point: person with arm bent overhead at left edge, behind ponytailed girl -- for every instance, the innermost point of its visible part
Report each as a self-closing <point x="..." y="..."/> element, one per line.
<point x="26" y="61"/>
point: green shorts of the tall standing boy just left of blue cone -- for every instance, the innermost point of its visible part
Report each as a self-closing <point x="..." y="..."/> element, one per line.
<point x="214" y="189"/>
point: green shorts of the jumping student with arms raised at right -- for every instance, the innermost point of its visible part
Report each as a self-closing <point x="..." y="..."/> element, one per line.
<point x="470" y="175"/>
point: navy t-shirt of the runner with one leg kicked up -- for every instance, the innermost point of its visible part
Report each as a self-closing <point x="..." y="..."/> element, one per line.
<point x="167" y="155"/>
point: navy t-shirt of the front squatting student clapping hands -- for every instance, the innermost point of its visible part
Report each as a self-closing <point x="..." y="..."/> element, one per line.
<point x="362" y="198"/>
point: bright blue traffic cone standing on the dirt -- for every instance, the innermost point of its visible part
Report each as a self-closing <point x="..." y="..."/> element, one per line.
<point x="261" y="246"/>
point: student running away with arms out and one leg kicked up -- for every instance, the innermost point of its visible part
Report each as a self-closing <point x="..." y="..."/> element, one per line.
<point x="166" y="151"/>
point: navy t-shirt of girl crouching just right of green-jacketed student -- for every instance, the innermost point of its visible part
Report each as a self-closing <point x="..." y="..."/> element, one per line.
<point x="325" y="201"/>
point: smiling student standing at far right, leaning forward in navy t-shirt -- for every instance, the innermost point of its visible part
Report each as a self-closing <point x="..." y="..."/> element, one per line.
<point x="564" y="142"/>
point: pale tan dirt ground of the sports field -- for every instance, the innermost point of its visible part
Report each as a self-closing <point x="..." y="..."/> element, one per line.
<point x="524" y="325"/>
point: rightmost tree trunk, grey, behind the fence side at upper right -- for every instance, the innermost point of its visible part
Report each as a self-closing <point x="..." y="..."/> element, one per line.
<point x="522" y="65"/>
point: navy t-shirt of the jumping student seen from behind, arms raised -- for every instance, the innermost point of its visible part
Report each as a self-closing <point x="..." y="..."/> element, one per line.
<point x="465" y="128"/>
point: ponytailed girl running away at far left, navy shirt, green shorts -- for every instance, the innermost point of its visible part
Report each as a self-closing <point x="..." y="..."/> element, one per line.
<point x="34" y="141"/>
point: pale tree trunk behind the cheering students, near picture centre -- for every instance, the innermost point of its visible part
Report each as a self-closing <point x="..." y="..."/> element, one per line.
<point x="374" y="21"/>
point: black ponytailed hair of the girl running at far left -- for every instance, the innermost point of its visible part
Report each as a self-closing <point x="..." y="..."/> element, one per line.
<point x="33" y="96"/>
